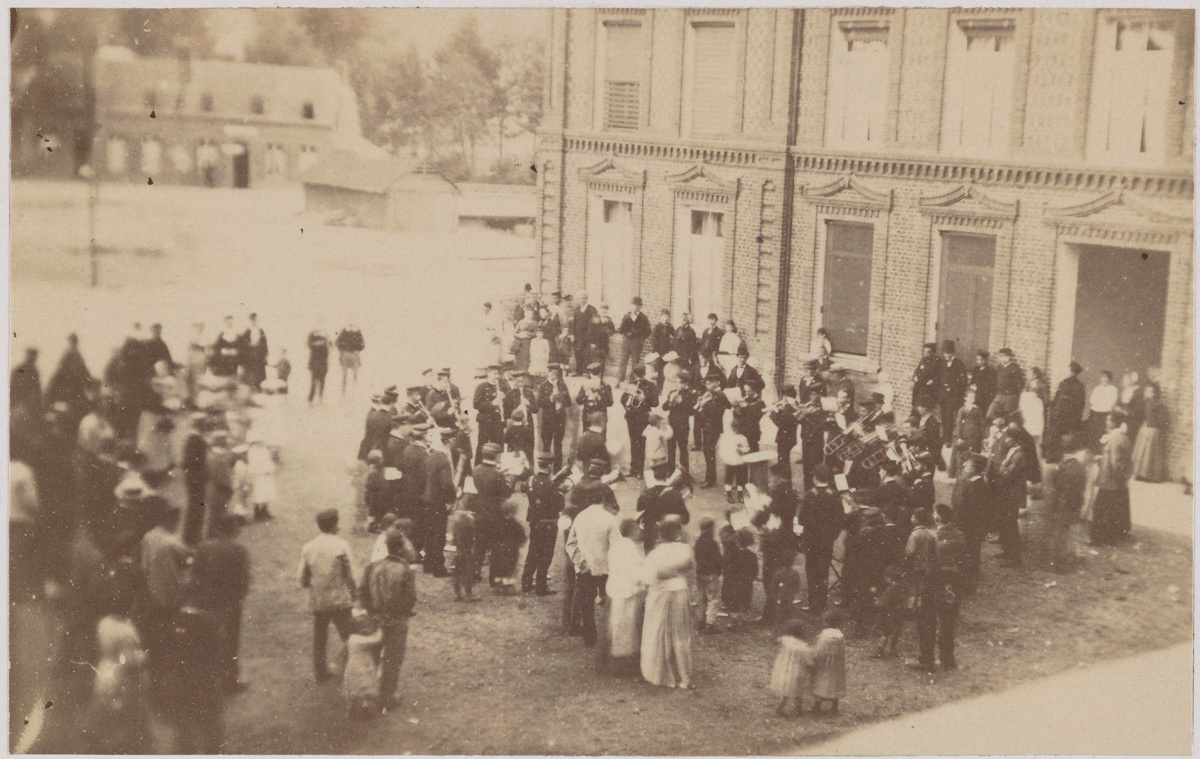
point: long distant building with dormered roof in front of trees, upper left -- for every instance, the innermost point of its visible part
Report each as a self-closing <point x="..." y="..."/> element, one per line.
<point x="217" y="123"/>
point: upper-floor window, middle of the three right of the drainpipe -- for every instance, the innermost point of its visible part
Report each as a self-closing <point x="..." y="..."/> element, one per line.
<point x="979" y="87"/>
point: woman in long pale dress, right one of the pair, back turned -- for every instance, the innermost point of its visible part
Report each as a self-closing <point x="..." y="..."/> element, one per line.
<point x="668" y="627"/>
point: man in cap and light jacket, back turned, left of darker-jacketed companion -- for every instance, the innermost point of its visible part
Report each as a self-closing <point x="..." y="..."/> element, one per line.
<point x="326" y="571"/>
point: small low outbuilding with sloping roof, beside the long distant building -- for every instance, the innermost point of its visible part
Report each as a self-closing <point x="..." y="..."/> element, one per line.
<point x="381" y="193"/>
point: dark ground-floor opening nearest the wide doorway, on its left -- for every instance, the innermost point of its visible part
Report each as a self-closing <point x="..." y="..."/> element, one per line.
<point x="964" y="313"/>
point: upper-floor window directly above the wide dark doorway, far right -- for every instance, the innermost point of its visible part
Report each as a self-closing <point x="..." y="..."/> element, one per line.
<point x="1131" y="88"/>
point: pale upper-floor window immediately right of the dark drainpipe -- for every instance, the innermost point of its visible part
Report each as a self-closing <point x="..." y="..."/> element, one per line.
<point x="859" y="86"/>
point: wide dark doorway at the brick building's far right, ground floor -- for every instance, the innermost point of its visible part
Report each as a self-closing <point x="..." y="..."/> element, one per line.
<point x="1120" y="310"/>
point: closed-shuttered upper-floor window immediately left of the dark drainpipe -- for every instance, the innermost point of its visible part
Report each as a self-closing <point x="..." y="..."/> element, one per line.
<point x="715" y="74"/>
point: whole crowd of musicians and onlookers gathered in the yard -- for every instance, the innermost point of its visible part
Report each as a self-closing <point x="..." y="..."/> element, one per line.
<point x="155" y="582"/>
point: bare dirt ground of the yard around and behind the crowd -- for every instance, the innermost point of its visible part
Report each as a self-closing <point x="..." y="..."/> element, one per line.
<point x="497" y="677"/>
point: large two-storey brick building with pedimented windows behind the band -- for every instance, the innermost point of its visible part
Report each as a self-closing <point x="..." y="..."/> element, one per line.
<point x="1010" y="177"/>
